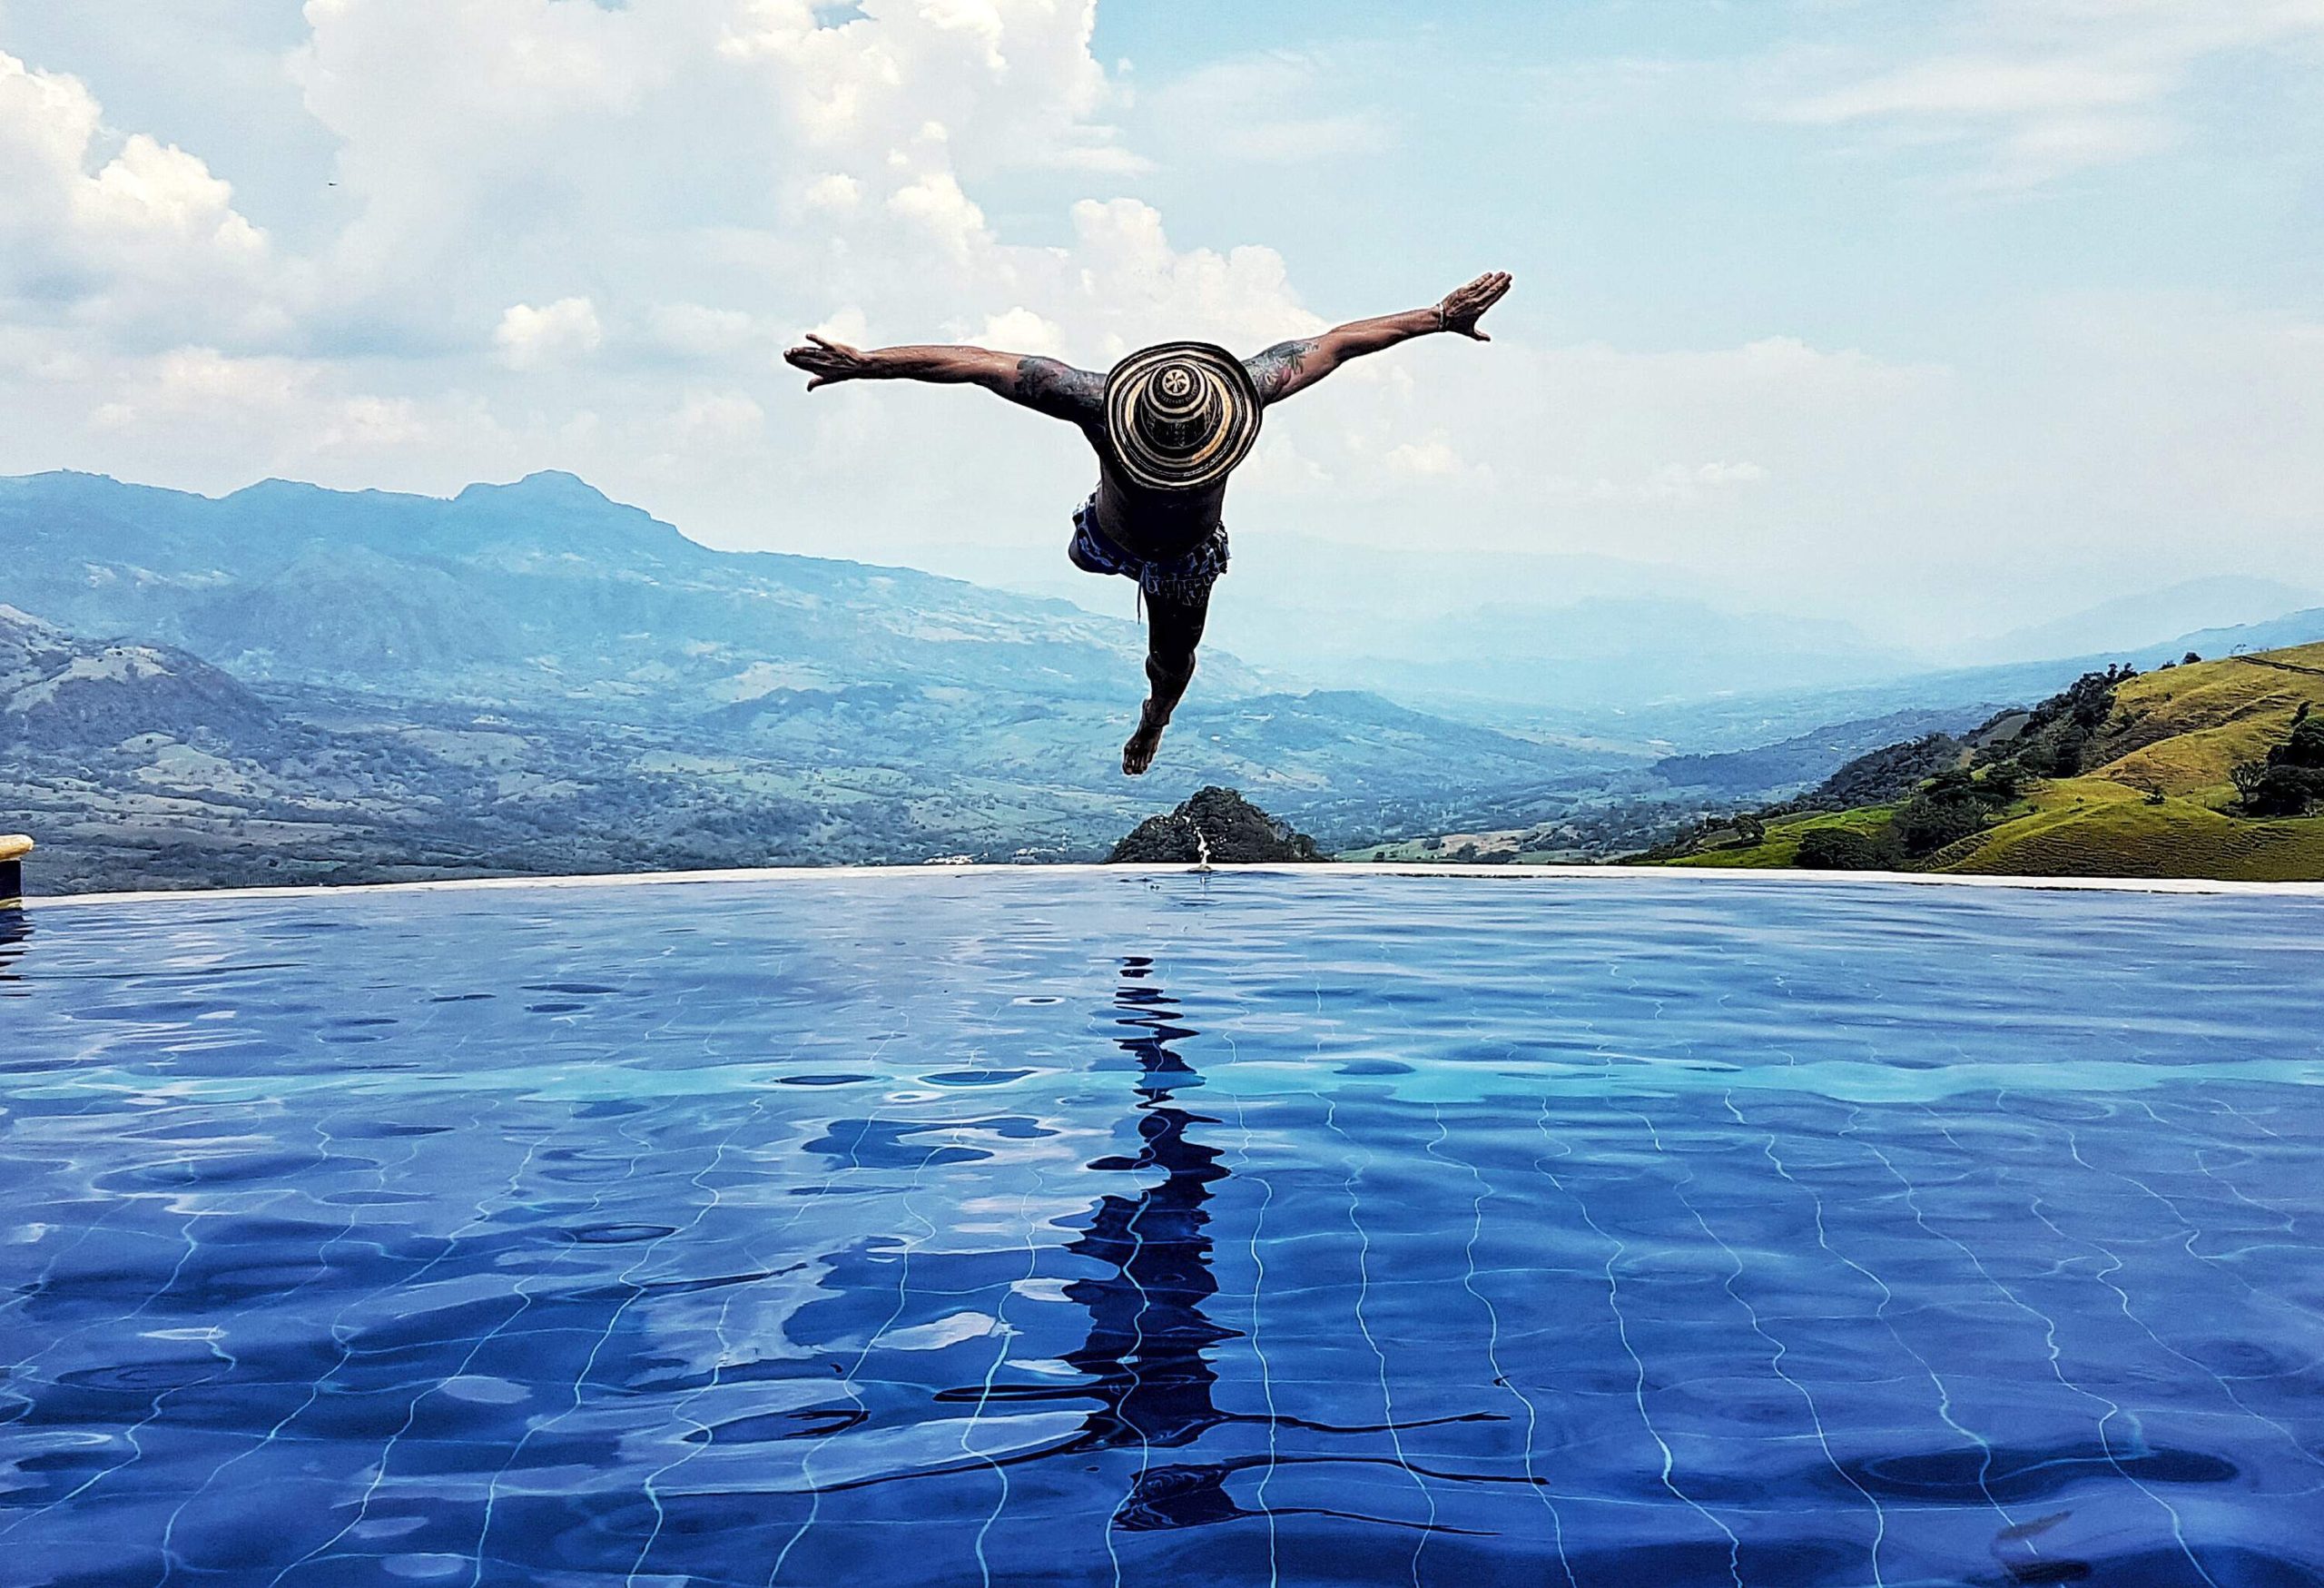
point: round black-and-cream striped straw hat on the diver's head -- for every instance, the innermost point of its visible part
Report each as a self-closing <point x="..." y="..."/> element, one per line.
<point x="1182" y="415"/>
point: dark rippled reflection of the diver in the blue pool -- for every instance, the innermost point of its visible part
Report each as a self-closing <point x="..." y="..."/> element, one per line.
<point x="1147" y="1357"/>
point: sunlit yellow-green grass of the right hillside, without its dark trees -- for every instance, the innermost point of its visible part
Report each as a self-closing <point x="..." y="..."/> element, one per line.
<point x="2176" y="731"/>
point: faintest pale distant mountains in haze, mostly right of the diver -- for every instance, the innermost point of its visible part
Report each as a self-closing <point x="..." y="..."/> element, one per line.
<point x="1533" y="636"/>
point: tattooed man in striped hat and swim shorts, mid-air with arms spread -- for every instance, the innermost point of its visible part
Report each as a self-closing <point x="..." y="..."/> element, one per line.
<point x="1170" y="424"/>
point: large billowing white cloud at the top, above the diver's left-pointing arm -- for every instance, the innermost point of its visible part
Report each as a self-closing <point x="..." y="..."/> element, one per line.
<point x="743" y="152"/>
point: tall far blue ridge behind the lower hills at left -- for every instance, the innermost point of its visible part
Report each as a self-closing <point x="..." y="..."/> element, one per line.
<point x="543" y="589"/>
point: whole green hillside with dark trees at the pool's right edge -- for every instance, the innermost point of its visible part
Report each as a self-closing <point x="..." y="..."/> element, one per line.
<point x="2118" y="778"/>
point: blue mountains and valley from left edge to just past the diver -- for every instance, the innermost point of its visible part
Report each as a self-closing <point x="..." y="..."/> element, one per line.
<point x="531" y="678"/>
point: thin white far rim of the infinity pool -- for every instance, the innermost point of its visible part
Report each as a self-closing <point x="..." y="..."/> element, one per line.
<point x="1347" y="868"/>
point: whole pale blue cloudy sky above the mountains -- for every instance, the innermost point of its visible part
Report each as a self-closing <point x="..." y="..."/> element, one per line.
<point x="1942" y="317"/>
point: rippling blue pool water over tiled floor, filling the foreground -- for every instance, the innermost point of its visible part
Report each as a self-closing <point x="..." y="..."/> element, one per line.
<point x="1117" y="1229"/>
